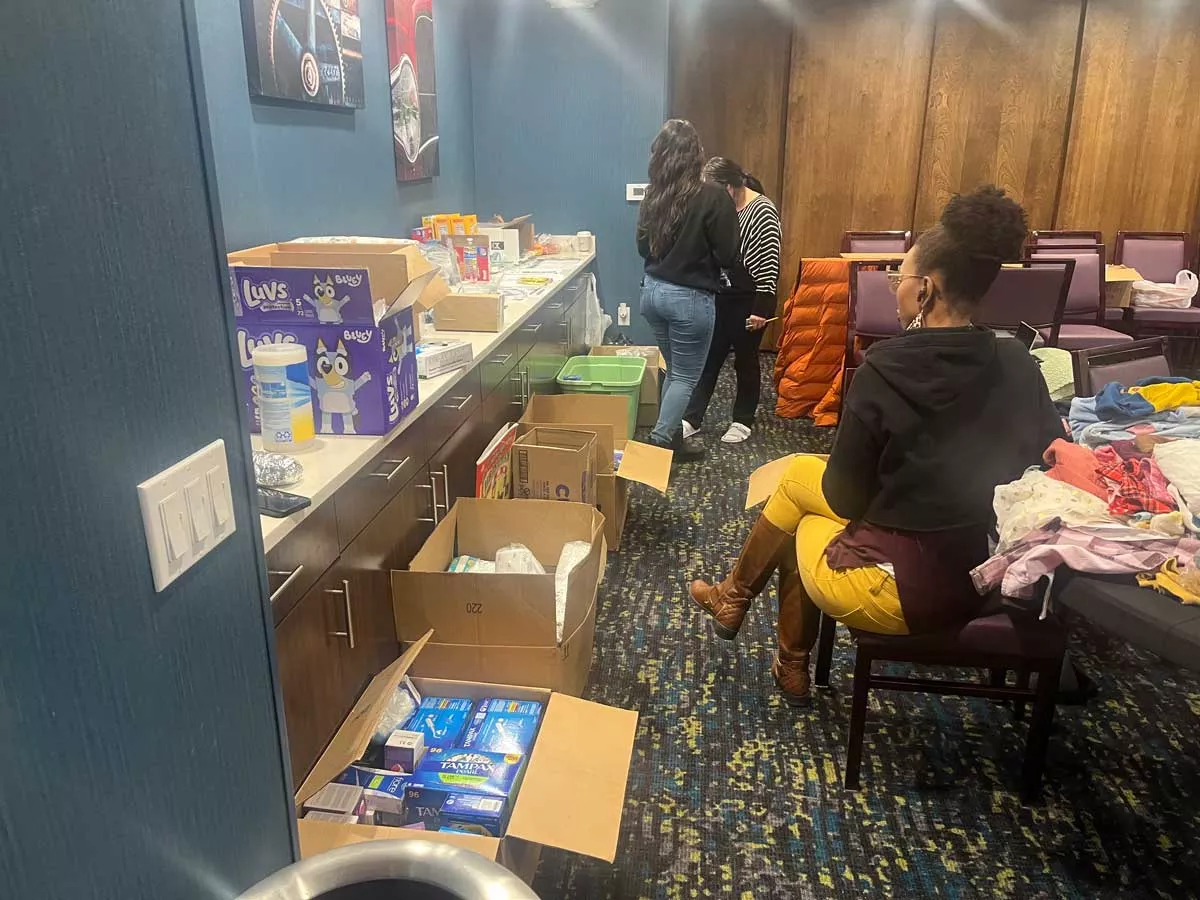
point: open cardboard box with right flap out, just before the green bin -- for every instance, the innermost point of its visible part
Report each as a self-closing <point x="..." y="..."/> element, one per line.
<point x="608" y="417"/>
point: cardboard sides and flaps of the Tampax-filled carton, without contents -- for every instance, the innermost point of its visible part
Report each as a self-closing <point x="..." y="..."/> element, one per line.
<point x="572" y="795"/>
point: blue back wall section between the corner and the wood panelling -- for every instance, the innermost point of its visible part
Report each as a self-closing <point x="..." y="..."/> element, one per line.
<point x="566" y="106"/>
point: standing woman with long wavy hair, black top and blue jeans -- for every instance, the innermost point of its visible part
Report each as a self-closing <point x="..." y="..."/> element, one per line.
<point x="688" y="236"/>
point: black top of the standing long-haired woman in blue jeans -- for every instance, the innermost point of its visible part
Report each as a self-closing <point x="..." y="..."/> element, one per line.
<point x="709" y="242"/>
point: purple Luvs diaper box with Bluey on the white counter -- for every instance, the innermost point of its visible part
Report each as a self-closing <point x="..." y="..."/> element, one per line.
<point x="351" y="307"/>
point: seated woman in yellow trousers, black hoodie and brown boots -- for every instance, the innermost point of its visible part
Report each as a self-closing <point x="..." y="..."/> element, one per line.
<point x="884" y="537"/>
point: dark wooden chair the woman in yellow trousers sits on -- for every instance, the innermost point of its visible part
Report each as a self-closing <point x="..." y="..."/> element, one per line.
<point x="997" y="643"/>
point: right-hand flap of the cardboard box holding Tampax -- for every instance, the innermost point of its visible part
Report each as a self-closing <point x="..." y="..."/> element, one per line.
<point x="574" y="789"/>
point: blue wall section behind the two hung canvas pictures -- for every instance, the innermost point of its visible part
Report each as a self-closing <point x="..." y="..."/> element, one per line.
<point x="286" y="171"/>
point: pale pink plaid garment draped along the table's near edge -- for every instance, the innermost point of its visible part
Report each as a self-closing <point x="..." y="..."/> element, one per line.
<point x="1084" y="550"/>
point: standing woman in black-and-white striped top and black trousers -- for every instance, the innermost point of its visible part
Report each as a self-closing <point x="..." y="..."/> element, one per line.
<point x="742" y="310"/>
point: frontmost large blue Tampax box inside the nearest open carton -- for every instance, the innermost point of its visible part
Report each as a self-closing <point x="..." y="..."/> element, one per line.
<point x="465" y="790"/>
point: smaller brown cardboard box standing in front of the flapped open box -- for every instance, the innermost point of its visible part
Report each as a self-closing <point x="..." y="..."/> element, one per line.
<point x="555" y="465"/>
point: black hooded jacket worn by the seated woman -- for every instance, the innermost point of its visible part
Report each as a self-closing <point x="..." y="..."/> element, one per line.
<point x="934" y="422"/>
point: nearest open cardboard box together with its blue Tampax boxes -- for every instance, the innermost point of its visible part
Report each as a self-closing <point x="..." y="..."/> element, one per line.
<point x="530" y="769"/>
